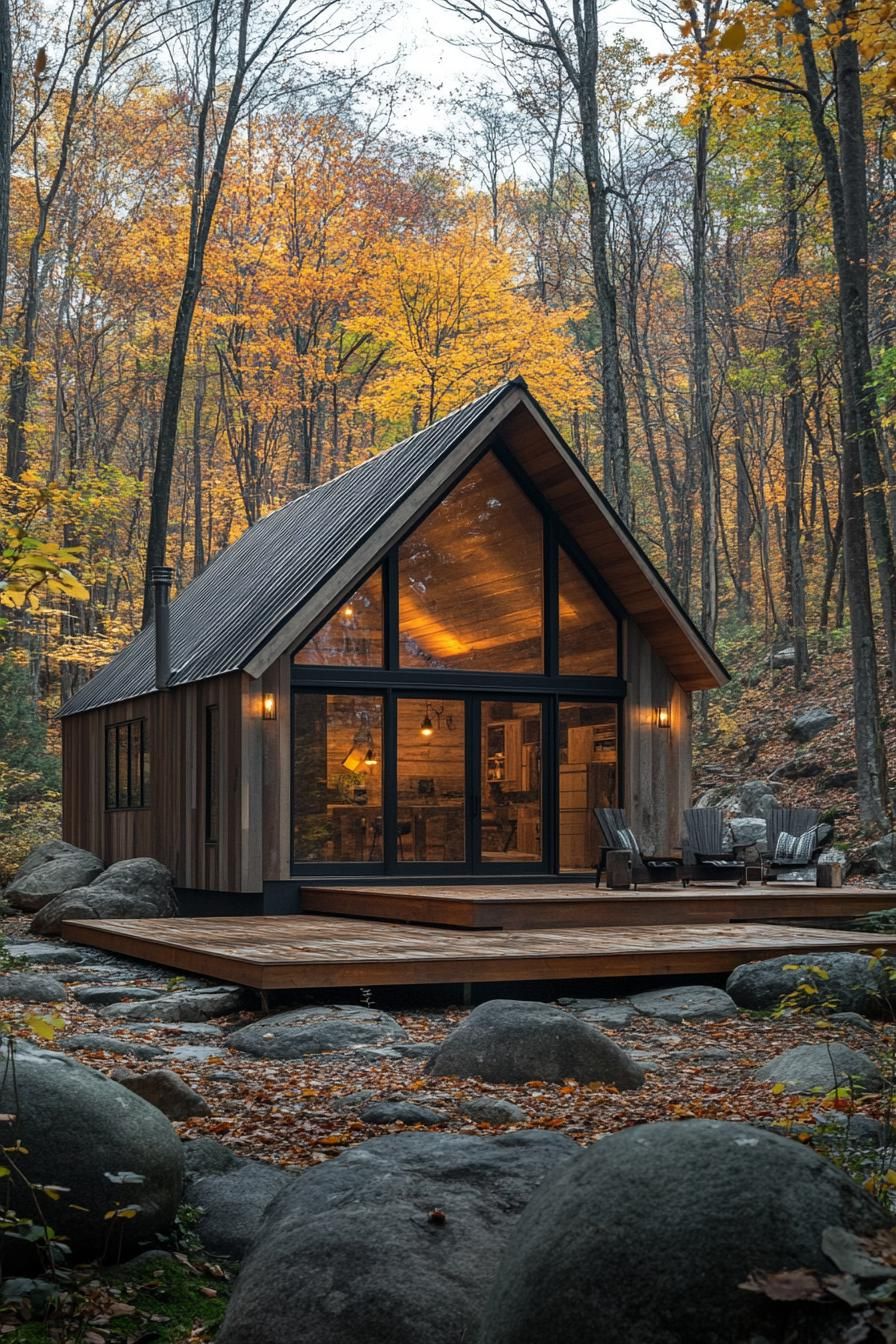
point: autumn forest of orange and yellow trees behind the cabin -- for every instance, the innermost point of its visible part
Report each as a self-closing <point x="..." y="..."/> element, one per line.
<point x="233" y="264"/>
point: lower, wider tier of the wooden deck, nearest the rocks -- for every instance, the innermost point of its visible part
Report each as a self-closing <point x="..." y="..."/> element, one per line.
<point x="314" y="952"/>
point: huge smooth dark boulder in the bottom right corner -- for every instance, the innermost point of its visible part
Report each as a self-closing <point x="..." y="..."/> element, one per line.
<point x="649" y="1236"/>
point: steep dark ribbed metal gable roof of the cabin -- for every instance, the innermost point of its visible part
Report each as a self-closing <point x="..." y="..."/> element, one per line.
<point x="273" y="584"/>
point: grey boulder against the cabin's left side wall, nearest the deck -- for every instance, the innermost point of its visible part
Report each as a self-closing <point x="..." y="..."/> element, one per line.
<point x="135" y="889"/>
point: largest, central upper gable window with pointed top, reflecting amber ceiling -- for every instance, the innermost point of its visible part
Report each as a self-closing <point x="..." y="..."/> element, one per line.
<point x="472" y="583"/>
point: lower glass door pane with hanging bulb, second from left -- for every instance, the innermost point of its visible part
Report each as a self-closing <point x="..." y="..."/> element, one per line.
<point x="432" y="780"/>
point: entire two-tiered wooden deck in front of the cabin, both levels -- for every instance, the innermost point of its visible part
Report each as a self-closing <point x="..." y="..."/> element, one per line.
<point x="694" y="932"/>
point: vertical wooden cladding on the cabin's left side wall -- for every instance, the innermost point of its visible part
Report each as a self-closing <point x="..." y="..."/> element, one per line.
<point x="174" y="825"/>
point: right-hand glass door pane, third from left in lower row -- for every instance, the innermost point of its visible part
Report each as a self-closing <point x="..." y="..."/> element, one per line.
<point x="511" y="782"/>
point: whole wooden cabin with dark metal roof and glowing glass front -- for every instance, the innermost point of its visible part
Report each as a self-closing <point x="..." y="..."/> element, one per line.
<point x="429" y="669"/>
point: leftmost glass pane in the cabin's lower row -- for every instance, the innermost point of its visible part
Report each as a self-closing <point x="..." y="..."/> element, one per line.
<point x="338" y="779"/>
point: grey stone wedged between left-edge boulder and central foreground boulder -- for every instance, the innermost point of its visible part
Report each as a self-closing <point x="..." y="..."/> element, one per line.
<point x="234" y="1204"/>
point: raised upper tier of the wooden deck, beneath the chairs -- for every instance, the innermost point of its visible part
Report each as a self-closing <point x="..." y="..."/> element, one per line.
<point x="576" y="905"/>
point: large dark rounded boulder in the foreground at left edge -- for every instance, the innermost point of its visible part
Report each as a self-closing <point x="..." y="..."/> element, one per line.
<point x="108" y="1148"/>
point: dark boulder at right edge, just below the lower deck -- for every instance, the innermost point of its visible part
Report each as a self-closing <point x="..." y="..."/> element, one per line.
<point x="838" y="982"/>
